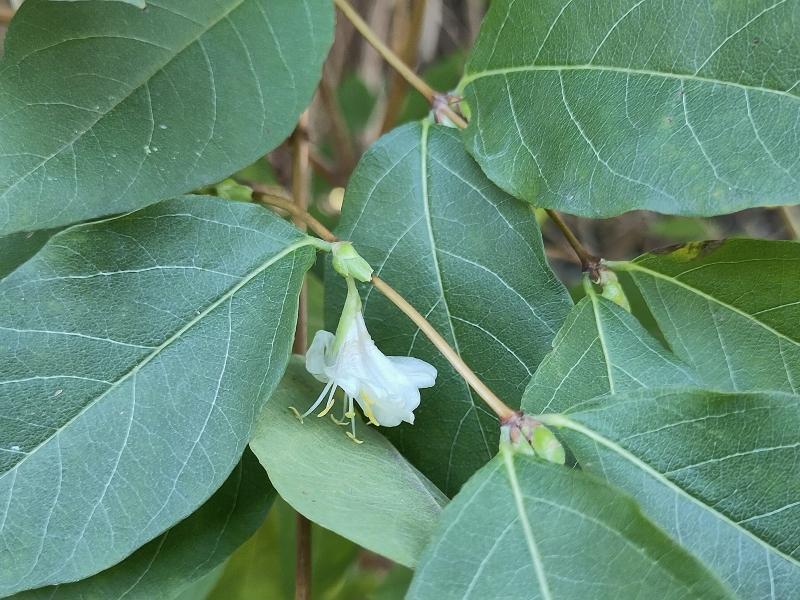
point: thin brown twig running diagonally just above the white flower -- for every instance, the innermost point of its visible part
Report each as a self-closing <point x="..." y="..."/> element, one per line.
<point x="500" y="408"/>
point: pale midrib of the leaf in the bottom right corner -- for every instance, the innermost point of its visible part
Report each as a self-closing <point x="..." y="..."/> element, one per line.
<point x="564" y="421"/>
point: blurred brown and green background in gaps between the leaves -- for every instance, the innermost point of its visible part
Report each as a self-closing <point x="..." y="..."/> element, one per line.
<point x="360" y="98"/>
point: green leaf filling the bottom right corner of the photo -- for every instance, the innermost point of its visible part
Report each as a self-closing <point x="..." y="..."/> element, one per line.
<point x="720" y="472"/>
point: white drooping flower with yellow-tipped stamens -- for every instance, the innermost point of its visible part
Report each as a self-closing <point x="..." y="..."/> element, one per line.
<point x="385" y="387"/>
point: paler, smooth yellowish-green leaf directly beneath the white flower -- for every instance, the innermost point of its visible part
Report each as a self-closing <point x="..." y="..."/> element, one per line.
<point x="366" y="492"/>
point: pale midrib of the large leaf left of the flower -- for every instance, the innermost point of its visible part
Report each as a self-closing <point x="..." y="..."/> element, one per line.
<point x="164" y="345"/>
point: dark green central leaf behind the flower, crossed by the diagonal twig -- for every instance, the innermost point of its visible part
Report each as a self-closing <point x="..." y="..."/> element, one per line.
<point x="470" y="259"/>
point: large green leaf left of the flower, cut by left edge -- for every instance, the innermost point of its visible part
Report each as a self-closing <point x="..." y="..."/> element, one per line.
<point x="135" y="355"/>
